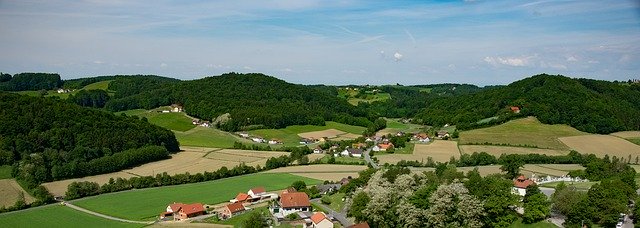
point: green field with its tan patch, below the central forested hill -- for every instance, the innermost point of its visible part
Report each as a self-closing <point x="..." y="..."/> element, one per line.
<point x="290" y="135"/>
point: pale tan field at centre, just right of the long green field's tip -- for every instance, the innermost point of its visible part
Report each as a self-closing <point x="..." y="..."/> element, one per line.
<point x="322" y="172"/>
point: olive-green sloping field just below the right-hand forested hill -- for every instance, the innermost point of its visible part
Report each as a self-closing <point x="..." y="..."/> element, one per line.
<point x="526" y="131"/>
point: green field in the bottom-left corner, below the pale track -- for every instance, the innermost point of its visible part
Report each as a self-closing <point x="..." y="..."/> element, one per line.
<point x="57" y="216"/>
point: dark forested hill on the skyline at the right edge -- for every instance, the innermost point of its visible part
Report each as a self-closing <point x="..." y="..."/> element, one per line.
<point x="588" y="105"/>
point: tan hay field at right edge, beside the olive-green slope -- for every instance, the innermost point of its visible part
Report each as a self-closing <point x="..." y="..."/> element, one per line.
<point x="601" y="145"/>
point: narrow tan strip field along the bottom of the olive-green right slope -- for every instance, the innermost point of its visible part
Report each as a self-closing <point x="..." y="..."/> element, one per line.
<point x="499" y="150"/>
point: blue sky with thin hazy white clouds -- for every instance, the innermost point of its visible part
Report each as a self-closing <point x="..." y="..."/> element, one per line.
<point x="325" y="42"/>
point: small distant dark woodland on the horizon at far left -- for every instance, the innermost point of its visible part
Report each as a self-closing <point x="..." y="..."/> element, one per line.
<point x="29" y="81"/>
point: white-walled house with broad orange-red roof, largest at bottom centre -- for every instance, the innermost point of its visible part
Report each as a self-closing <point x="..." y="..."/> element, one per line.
<point x="290" y="203"/>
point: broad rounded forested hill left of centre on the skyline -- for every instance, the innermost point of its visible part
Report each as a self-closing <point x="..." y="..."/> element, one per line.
<point x="250" y="99"/>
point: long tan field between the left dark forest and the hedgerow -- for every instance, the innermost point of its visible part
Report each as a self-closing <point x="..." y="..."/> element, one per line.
<point x="190" y="159"/>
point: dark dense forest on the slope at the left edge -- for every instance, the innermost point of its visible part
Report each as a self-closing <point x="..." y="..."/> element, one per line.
<point x="47" y="139"/>
